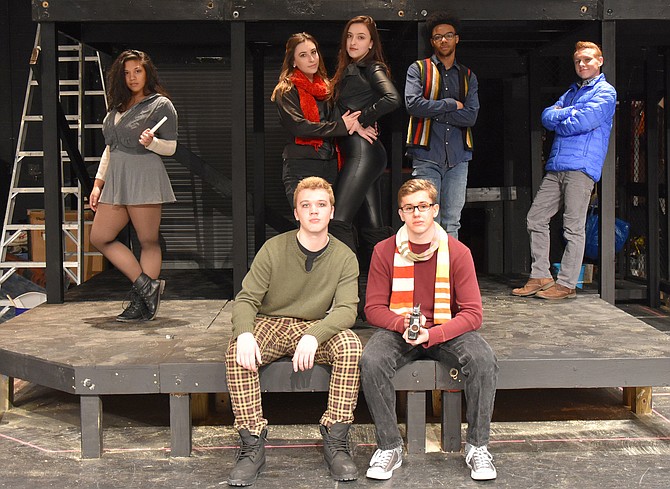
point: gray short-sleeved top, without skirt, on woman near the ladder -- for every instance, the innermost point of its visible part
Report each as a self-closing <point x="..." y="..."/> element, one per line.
<point x="125" y="135"/>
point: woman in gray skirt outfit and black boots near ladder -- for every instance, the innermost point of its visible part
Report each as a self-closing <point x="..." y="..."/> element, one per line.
<point x="131" y="183"/>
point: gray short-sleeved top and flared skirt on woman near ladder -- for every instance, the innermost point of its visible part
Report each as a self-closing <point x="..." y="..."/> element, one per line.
<point x="136" y="175"/>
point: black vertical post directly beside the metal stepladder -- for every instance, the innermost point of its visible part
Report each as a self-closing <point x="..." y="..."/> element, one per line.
<point x="53" y="204"/>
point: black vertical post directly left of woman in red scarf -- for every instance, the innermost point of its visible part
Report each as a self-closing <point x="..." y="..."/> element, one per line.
<point x="238" y="153"/>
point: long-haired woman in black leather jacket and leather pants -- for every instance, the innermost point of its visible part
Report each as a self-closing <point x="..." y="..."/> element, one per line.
<point x="361" y="83"/>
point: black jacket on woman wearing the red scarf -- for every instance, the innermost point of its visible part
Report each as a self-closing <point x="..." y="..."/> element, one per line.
<point x="293" y="120"/>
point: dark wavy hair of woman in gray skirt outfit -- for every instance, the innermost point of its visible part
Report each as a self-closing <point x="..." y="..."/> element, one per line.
<point x="118" y="93"/>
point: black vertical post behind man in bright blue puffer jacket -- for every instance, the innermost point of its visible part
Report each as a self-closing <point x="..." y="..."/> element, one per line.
<point x="607" y="187"/>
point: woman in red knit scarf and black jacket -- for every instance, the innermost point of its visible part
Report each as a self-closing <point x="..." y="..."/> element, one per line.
<point x="305" y="111"/>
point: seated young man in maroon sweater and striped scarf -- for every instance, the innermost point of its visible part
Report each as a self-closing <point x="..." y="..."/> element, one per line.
<point x="423" y="265"/>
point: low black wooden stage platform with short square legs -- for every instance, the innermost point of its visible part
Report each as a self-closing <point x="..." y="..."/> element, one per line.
<point x="79" y="348"/>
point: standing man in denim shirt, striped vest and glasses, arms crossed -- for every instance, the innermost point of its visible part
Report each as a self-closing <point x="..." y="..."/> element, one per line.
<point x="441" y="98"/>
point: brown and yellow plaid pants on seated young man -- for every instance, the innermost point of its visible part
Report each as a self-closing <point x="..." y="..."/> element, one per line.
<point x="278" y="337"/>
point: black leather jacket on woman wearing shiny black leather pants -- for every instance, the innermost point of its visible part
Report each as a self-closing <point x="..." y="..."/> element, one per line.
<point x="367" y="88"/>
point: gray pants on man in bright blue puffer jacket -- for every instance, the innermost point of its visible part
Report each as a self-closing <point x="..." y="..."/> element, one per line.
<point x="572" y="191"/>
